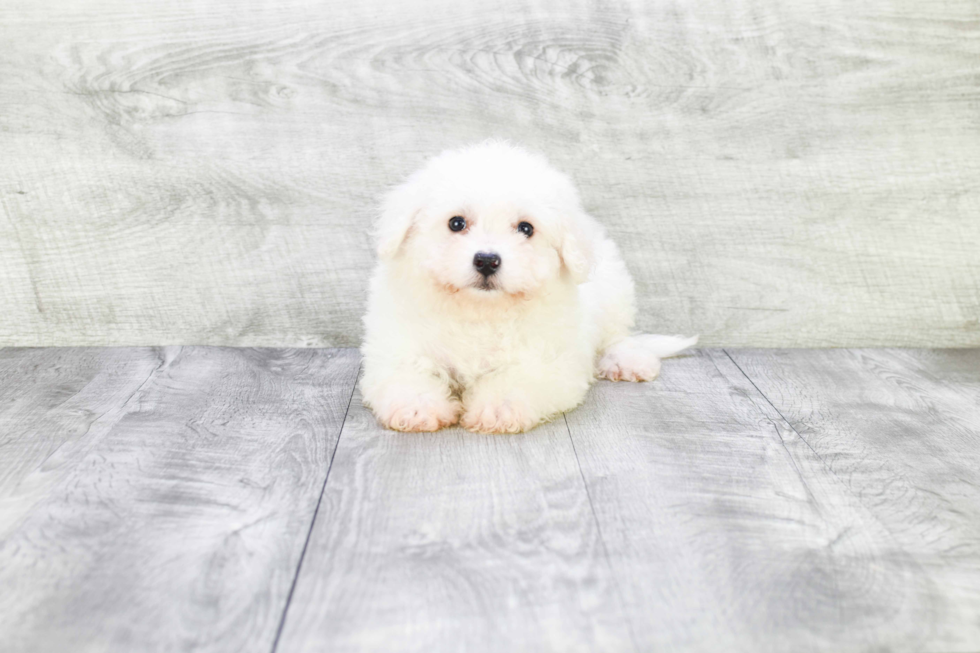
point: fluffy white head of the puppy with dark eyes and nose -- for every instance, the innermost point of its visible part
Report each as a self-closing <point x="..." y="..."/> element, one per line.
<point x="488" y="220"/>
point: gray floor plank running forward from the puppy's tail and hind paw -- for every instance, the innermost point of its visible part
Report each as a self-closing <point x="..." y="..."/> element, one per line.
<point x="726" y="532"/>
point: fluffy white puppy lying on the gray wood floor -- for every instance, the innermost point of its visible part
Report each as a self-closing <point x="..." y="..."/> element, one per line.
<point x="497" y="300"/>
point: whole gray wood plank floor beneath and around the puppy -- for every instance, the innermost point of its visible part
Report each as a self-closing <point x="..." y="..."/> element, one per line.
<point x="215" y="499"/>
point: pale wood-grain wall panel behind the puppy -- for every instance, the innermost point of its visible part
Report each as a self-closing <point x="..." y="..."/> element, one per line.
<point x="800" y="173"/>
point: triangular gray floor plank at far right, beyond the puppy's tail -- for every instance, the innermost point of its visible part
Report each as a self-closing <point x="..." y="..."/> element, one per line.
<point x="901" y="430"/>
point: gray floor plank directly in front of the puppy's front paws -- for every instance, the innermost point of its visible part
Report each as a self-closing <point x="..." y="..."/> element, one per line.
<point x="454" y="542"/>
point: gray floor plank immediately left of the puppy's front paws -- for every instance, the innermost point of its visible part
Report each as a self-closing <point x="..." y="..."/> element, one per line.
<point x="181" y="527"/>
